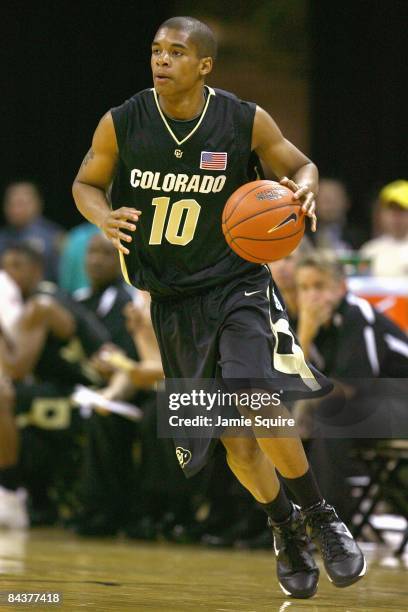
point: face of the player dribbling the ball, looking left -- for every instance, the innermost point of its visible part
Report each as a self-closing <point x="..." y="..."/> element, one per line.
<point x="175" y="65"/>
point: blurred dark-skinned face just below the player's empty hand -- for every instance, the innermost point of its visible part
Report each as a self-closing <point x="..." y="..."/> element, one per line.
<point x="102" y="264"/>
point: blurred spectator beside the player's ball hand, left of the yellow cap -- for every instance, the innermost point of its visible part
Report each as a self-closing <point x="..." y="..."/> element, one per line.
<point x="333" y="231"/>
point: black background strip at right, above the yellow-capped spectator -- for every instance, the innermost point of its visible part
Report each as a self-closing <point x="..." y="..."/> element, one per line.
<point x="359" y="106"/>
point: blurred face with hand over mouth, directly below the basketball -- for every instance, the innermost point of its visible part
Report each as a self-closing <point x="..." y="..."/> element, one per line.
<point x="318" y="287"/>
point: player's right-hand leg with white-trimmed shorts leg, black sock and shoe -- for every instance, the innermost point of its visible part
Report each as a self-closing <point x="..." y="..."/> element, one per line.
<point x="258" y="346"/>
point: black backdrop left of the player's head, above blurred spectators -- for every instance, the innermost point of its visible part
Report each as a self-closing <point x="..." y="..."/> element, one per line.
<point x="66" y="62"/>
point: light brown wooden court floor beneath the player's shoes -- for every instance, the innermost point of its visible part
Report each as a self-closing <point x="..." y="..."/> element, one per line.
<point x="117" y="575"/>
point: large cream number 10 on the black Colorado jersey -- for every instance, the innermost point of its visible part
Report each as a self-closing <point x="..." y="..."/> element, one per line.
<point x="181" y="224"/>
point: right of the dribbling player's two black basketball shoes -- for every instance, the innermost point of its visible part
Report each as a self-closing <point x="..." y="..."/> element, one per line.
<point x="343" y="560"/>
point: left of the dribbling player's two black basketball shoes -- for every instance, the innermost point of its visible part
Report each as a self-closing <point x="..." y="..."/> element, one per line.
<point x="297" y="571"/>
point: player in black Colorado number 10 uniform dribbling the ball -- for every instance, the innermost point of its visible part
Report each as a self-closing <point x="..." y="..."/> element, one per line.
<point x="175" y="153"/>
